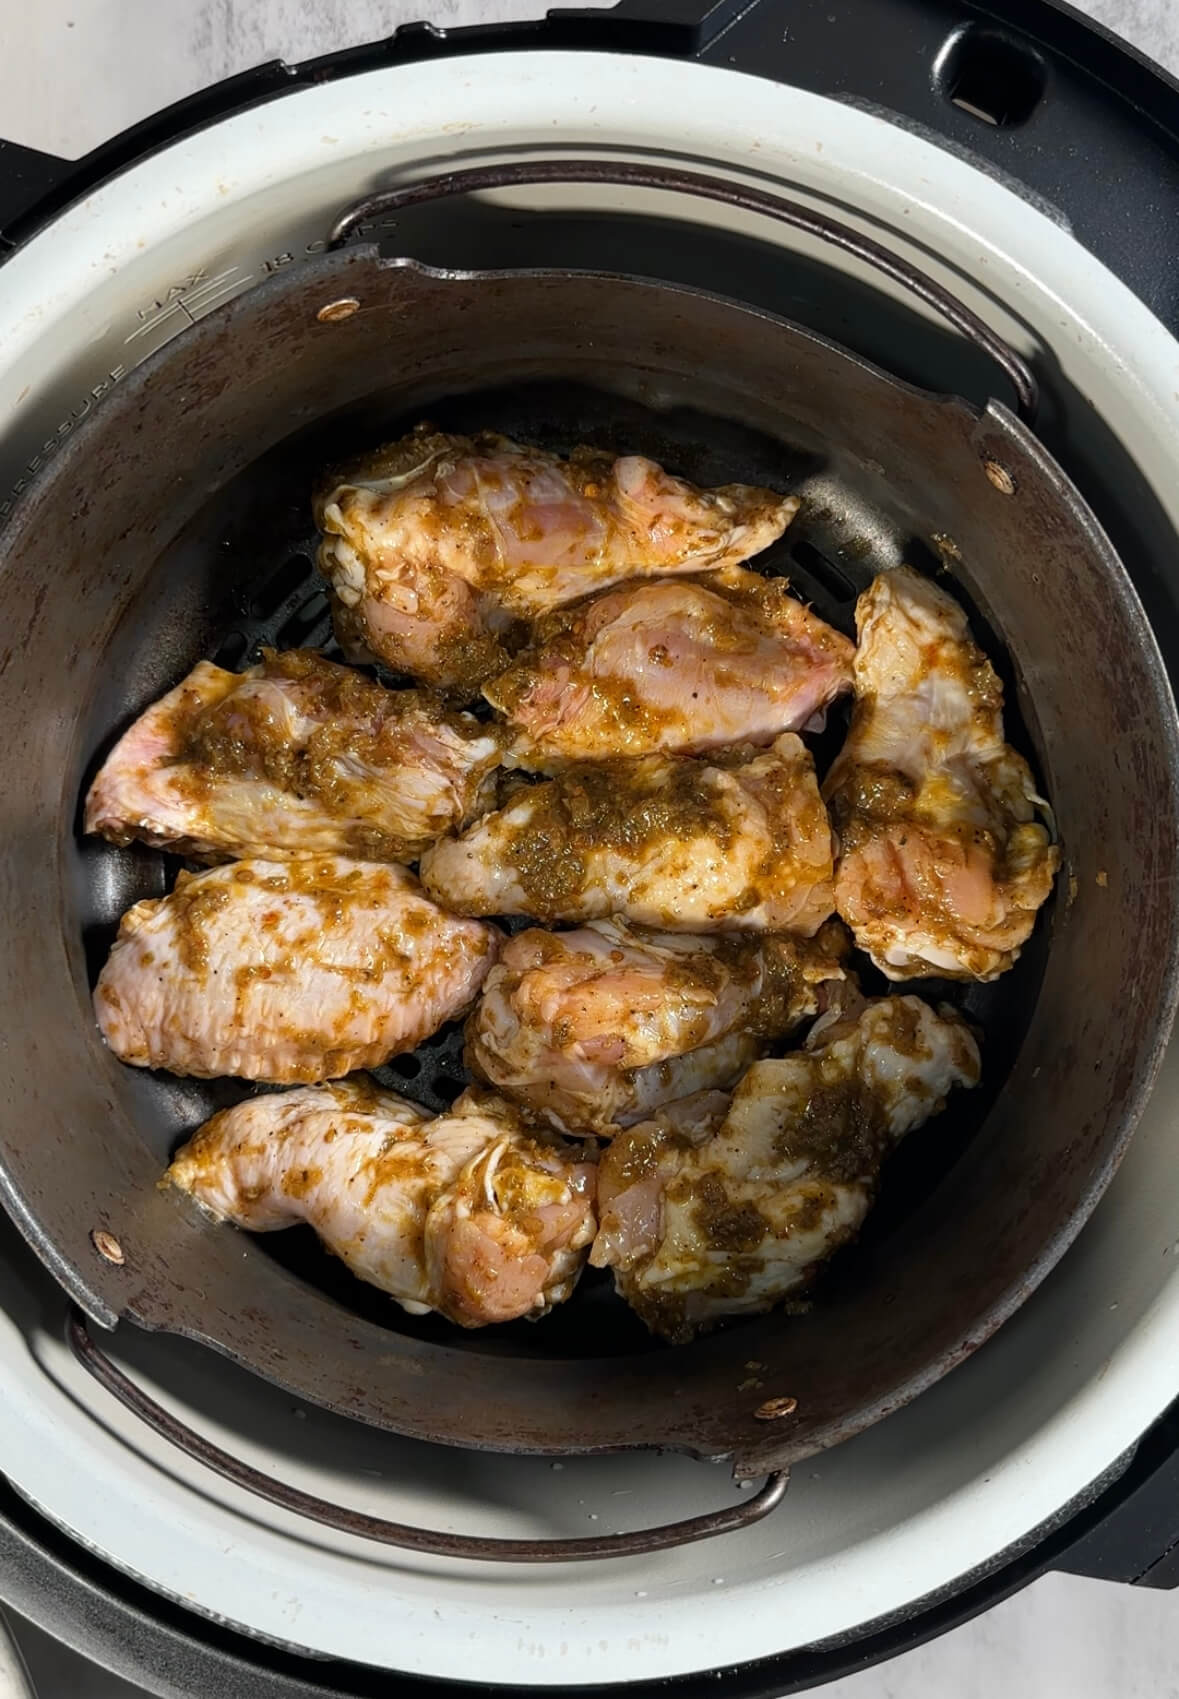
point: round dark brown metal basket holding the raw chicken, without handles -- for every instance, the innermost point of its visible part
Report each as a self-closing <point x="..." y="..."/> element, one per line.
<point x="176" y="526"/>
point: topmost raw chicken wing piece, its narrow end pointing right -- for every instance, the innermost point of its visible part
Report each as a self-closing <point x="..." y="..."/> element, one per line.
<point x="436" y="545"/>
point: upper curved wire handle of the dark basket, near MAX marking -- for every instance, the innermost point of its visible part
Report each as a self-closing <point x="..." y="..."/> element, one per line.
<point x="793" y="213"/>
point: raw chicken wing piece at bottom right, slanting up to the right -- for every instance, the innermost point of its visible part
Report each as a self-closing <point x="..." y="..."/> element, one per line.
<point x="714" y="1214"/>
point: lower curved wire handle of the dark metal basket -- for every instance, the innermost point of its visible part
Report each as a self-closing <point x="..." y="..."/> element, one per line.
<point x="436" y="1542"/>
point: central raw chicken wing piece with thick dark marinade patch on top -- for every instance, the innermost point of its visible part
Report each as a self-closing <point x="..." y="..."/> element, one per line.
<point x="680" y="845"/>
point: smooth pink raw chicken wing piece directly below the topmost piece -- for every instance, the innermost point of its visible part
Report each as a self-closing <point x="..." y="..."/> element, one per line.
<point x="670" y="665"/>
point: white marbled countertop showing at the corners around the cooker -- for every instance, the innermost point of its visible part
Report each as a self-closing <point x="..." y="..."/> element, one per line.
<point x="72" y="74"/>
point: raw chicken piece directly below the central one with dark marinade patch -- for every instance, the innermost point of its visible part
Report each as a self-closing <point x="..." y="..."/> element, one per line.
<point x="601" y="1027"/>
